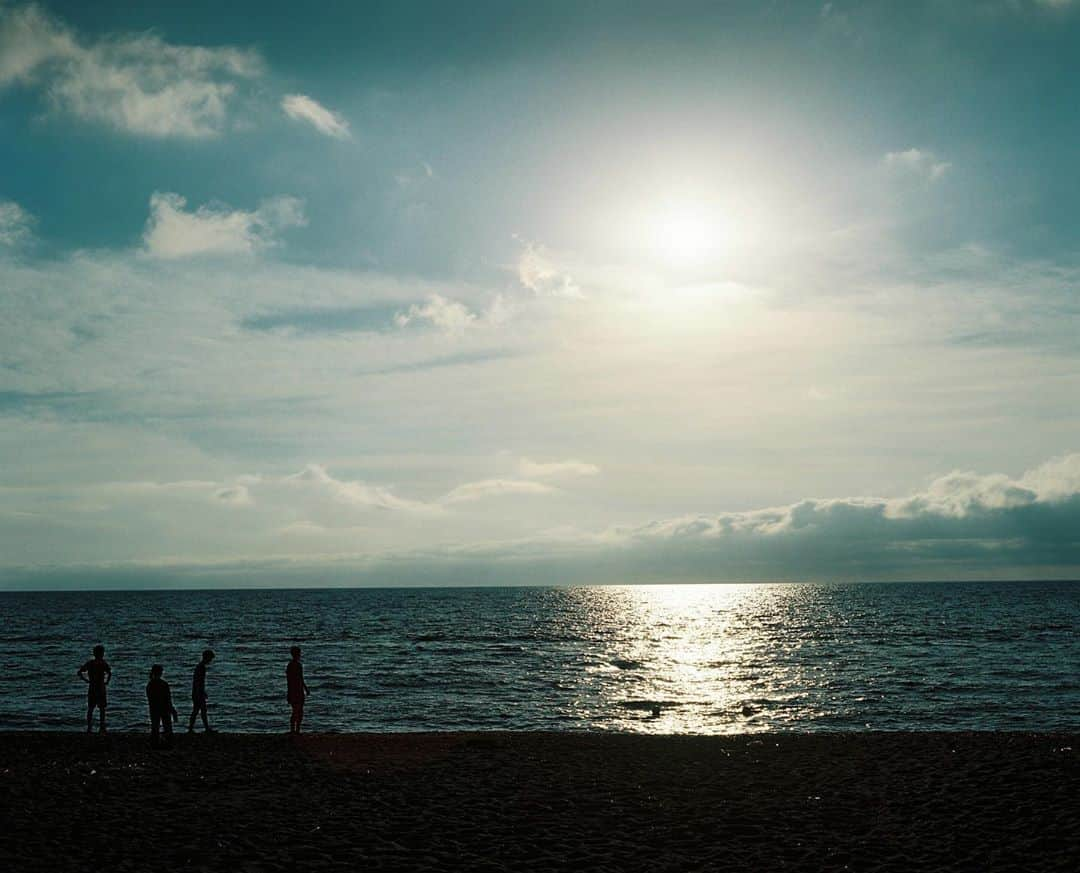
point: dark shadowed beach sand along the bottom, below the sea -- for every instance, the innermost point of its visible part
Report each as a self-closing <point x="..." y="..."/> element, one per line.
<point x="542" y="802"/>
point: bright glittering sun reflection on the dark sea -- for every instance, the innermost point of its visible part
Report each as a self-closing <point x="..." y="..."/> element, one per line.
<point x="684" y="659"/>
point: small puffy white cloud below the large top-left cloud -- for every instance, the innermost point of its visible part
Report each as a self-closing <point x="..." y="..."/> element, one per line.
<point x="174" y="233"/>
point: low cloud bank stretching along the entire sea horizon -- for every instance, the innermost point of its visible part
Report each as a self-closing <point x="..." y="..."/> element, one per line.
<point x="962" y="527"/>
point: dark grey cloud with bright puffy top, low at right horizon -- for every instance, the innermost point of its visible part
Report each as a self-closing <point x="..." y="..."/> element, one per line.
<point x="964" y="521"/>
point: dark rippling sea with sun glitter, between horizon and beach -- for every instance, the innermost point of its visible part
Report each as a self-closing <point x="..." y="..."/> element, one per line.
<point x="715" y="659"/>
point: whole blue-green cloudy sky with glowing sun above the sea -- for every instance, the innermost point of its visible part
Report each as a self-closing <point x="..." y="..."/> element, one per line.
<point x="496" y="293"/>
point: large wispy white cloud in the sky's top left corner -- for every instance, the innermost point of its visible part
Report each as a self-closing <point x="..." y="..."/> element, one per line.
<point x="137" y="84"/>
